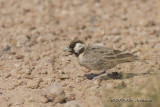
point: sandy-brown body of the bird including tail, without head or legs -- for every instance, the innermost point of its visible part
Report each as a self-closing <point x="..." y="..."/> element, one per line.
<point x="101" y="58"/>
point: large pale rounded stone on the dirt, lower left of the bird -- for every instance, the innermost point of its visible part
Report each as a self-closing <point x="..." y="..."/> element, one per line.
<point x="55" y="93"/>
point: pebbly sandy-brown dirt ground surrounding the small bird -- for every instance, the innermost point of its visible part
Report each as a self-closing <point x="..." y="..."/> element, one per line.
<point x="35" y="71"/>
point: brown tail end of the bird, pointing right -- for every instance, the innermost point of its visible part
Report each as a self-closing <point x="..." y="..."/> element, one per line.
<point x="126" y="57"/>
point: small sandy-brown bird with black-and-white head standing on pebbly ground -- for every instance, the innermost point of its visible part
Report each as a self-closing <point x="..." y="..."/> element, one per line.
<point x="98" y="57"/>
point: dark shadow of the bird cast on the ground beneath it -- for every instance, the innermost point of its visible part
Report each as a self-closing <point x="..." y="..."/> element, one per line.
<point x="114" y="75"/>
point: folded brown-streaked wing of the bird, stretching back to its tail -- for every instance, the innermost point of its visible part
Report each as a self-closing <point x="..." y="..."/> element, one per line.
<point x="105" y="54"/>
